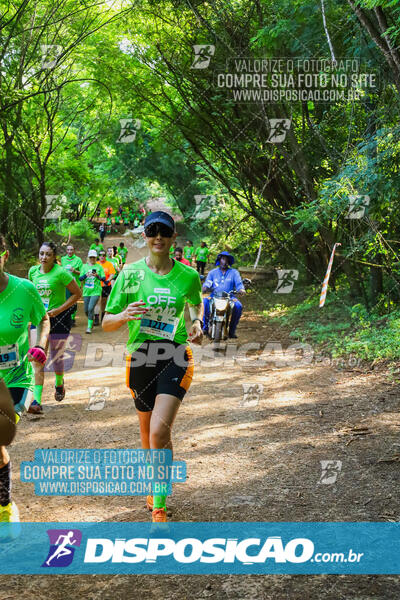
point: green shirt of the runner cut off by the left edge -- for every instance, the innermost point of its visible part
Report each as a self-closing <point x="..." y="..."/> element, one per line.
<point x="20" y="304"/>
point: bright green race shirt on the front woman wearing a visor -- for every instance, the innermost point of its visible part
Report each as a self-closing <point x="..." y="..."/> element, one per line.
<point x="165" y="295"/>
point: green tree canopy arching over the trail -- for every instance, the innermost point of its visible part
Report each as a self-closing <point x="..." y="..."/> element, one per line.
<point x="61" y="126"/>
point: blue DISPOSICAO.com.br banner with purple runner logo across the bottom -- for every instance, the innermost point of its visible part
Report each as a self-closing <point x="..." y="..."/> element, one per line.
<point x="201" y="548"/>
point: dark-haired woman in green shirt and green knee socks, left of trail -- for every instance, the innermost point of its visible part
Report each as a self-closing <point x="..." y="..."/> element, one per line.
<point x="51" y="281"/>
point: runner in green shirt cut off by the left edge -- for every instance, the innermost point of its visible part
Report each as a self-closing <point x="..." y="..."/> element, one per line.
<point x="20" y="304"/>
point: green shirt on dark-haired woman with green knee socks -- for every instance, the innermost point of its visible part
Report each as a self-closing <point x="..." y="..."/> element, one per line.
<point x="51" y="286"/>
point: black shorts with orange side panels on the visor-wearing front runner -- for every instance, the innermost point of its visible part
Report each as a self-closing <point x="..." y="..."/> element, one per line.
<point x="158" y="367"/>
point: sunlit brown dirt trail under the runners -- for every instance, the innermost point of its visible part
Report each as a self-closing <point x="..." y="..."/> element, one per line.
<point x="254" y="461"/>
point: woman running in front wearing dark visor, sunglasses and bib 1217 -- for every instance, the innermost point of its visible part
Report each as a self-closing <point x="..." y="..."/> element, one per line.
<point x="150" y="296"/>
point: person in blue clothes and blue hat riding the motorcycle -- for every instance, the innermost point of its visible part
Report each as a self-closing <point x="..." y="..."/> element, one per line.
<point x="224" y="279"/>
